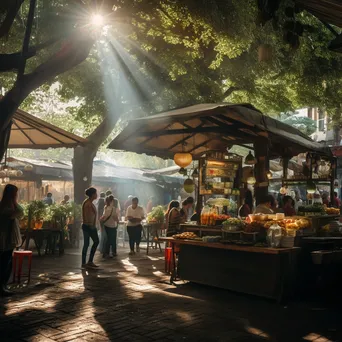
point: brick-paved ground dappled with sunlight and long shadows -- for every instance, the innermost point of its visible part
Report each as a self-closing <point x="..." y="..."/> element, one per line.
<point x="130" y="299"/>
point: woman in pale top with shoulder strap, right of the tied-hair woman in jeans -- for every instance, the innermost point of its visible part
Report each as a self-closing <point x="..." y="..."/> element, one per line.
<point x="110" y="220"/>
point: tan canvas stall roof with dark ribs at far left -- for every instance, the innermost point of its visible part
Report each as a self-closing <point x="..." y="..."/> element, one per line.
<point x="31" y="132"/>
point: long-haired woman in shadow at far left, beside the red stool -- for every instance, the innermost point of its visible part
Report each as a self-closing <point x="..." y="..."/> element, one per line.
<point x="10" y="212"/>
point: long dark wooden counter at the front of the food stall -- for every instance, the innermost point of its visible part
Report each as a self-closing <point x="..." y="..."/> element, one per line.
<point x="261" y="271"/>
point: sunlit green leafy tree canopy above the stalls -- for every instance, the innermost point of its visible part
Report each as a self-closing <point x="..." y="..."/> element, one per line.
<point x="156" y="55"/>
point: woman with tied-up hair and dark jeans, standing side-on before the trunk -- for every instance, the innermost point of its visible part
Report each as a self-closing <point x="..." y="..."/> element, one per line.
<point x="89" y="229"/>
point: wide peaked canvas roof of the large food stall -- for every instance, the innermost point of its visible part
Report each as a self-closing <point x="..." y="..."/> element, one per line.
<point x="212" y="127"/>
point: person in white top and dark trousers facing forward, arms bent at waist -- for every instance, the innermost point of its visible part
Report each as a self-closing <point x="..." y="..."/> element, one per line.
<point x="134" y="215"/>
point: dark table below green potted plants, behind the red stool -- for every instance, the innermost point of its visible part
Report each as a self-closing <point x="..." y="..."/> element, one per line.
<point x="39" y="235"/>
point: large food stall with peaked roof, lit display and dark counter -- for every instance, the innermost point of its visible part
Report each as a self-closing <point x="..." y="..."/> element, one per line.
<point x="221" y="249"/>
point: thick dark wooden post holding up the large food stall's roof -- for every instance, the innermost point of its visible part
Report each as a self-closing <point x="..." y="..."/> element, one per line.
<point x="261" y="168"/>
